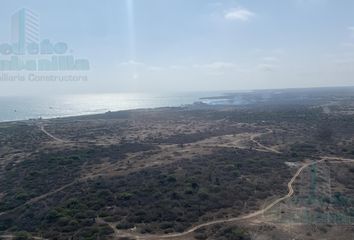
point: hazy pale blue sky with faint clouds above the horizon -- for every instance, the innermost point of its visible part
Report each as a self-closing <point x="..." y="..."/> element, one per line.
<point x="191" y="45"/>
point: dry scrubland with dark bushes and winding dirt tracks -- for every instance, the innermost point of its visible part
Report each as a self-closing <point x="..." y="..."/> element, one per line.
<point x="268" y="169"/>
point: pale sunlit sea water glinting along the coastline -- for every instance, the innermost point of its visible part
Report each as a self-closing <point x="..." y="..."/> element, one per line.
<point x="28" y="107"/>
